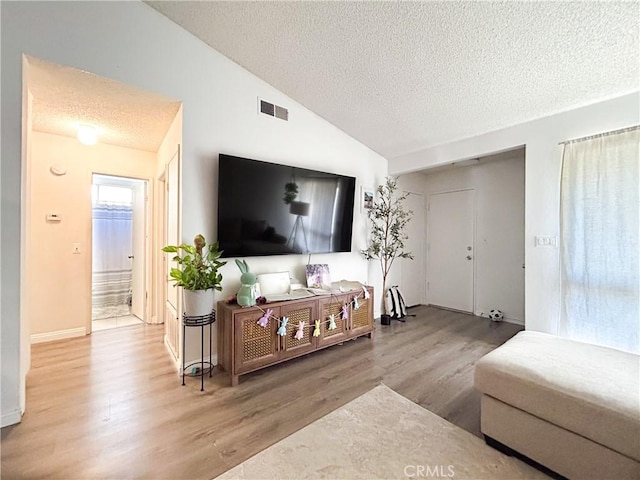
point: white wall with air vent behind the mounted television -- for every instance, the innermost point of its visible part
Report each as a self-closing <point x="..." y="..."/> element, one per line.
<point x="132" y="43"/>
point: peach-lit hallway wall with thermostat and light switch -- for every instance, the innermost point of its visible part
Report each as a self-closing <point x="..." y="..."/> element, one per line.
<point x="58" y="282"/>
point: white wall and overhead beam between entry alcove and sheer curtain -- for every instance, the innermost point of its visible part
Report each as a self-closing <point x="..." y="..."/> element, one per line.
<point x="542" y="186"/>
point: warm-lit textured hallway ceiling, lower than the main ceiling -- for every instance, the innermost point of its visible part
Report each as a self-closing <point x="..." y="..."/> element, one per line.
<point x="64" y="98"/>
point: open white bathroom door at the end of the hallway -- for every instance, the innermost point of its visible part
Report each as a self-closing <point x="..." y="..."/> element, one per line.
<point x="138" y="261"/>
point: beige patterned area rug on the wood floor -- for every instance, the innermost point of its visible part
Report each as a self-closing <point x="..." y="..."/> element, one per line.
<point x="381" y="434"/>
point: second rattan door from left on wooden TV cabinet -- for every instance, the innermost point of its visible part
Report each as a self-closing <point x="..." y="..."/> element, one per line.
<point x="299" y="312"/>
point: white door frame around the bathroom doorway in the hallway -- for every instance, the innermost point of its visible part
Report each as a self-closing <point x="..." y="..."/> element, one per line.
<point x="148" y="229"/>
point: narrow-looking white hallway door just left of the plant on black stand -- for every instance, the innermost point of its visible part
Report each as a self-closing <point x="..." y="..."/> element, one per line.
<point x="172" y="237"/>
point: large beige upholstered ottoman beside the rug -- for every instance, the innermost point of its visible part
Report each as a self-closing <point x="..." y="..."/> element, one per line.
<point x="570" y="406"/>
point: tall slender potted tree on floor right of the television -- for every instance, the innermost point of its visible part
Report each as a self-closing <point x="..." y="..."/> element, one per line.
<point x="389" y="220"/>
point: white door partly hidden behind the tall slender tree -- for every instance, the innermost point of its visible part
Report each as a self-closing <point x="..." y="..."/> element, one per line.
<point x="413" y="284"/>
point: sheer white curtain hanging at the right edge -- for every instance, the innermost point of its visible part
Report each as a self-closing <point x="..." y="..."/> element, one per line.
<point x="600" y="247"/>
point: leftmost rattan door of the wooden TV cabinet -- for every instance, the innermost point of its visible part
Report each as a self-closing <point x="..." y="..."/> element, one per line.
<point x="255" y="346"/>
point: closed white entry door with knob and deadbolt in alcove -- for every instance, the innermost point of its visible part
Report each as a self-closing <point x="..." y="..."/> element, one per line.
<point x="451" y="250"/>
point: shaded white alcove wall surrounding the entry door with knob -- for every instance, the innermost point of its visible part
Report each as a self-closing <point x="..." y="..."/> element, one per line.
<point x="499" y="253"/>
